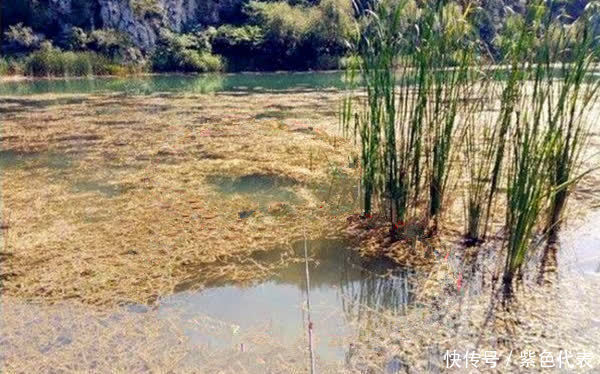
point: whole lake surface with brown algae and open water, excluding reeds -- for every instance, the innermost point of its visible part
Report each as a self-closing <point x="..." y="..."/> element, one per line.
<point x="168" y="228"/>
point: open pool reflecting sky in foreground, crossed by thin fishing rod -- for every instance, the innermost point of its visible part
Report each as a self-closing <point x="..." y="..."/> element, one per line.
<point x="344" y="289"/>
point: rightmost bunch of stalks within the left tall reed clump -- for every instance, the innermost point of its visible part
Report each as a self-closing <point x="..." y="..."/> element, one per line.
<point x="450" y="53"/>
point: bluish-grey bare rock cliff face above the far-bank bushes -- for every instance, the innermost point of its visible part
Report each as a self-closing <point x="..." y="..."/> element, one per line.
<point x="142" y="19"/>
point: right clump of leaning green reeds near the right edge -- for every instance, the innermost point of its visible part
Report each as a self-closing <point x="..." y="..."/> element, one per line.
<point x="549" y="134"/>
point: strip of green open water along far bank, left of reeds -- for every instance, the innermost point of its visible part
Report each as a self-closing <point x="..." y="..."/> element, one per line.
<point x="143" y="85"/>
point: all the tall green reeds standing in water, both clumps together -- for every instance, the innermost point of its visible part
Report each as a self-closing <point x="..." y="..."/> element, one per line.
<point x="428" y="80"/>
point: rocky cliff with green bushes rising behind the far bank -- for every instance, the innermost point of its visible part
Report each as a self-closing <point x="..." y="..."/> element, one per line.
<point x="244" y="34"/>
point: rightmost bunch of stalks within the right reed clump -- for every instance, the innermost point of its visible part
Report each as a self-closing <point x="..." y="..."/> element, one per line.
<point x="572" y="96"/>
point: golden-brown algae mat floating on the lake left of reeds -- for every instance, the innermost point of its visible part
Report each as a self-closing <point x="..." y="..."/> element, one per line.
<point x="113" y="199"/>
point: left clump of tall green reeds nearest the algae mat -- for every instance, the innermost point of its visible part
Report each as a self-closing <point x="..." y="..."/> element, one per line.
<point x="415" y="89"/>
